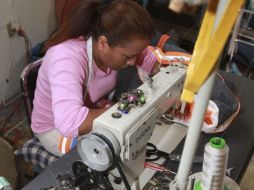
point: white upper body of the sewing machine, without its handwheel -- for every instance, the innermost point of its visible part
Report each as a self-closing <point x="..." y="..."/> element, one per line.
<point x="134" y="129"/>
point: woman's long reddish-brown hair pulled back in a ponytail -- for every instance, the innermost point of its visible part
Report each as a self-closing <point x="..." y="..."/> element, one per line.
<point x="119" y="20"/>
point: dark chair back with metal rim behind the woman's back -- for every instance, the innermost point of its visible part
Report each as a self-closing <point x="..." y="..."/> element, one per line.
<point x="28" y="85"/>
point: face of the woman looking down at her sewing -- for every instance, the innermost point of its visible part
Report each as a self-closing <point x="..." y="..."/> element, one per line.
<point x="119" y="57"/>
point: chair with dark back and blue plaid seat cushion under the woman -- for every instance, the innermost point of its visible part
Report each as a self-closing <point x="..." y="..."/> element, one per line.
<point x="32" y="150"/>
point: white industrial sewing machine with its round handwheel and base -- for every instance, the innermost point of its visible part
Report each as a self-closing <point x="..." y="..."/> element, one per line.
<point x="117" y="133"/>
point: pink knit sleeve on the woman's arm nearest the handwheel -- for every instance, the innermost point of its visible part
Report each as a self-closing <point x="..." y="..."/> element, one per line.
<point x="66" y="77"/>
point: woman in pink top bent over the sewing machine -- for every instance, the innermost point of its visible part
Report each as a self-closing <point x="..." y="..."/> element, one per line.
<point x="81" y="63"/>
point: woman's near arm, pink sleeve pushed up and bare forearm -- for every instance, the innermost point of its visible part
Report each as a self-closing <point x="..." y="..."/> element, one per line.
<point x="72" y="115"/>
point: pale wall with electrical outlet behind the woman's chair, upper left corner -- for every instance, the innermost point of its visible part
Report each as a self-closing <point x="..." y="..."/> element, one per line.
<point x="37" y="18"/>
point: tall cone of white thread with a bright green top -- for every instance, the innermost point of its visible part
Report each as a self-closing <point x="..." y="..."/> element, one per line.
<point x="214" y="165"/>
